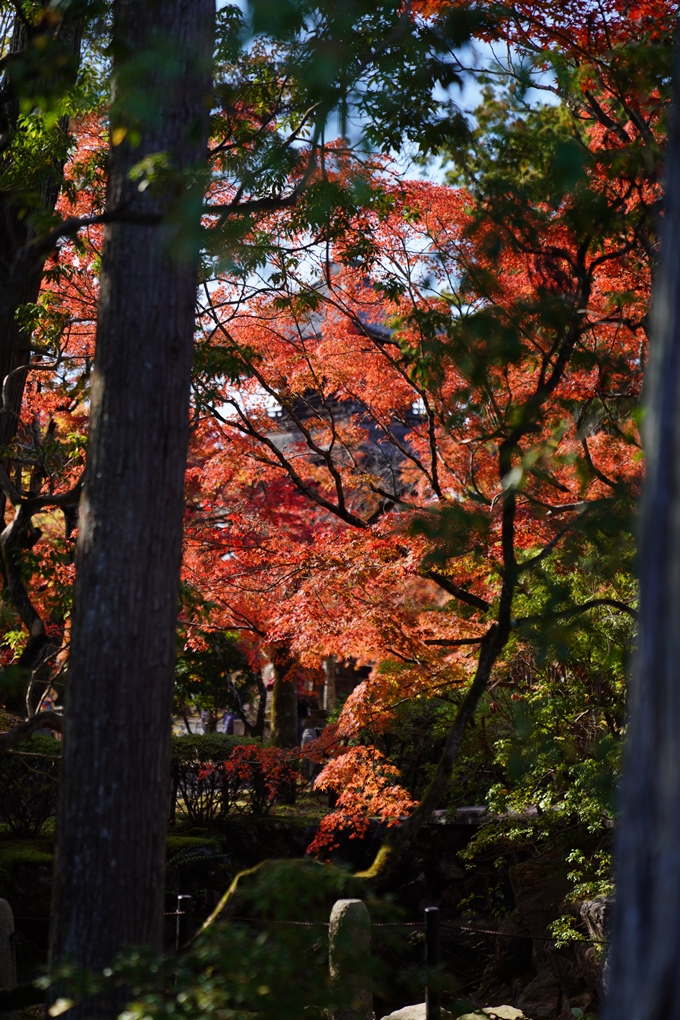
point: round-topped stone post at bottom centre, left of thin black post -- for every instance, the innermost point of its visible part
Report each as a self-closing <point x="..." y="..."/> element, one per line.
<point x="349" y="960"/>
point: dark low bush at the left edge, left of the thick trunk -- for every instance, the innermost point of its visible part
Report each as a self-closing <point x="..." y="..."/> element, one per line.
<point x="29" y="784"/>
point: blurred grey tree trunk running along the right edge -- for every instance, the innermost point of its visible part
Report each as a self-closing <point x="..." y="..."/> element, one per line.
<point x="645" y="967"/>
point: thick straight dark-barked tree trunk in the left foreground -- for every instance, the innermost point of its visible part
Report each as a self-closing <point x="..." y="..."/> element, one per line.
<point x="113" y="818"/>
